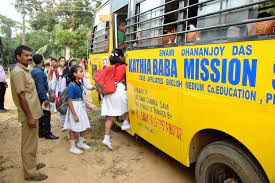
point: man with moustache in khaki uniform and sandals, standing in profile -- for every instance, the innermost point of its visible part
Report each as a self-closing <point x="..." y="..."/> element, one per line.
<point x="29" y="110"/>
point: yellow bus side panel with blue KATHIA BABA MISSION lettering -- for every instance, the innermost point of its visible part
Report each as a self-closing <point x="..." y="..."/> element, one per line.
<point x="228" y="87"/>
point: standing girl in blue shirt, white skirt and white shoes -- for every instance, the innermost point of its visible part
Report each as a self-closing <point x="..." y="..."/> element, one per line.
<point x="76" y="120"/>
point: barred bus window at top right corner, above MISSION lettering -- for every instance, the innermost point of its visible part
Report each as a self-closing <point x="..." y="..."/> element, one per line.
<point x="226" y="19"/>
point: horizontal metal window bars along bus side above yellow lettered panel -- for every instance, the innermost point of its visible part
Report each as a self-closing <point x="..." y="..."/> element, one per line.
<point x="183" y="21"/>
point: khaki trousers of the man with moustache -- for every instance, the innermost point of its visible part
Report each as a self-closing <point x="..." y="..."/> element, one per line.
<point x="29" y="145"/>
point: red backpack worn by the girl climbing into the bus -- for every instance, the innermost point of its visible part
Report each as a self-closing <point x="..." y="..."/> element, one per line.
<point x="105" y="80"/>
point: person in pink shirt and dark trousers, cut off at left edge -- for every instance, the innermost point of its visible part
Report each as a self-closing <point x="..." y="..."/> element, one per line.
<point x="3" y="87"/>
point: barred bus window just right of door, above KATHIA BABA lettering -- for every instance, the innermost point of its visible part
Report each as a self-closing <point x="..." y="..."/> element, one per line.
<point x="156" y="23"/>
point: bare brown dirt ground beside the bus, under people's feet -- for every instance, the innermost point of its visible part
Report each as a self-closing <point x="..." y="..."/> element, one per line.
<point x="132" y="160"/>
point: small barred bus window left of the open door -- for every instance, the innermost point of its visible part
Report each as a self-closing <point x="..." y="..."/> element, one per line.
<point x="100" y="38"/>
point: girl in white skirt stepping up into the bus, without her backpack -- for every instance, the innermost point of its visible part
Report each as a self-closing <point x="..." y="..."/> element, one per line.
<point x="116" y="104"/>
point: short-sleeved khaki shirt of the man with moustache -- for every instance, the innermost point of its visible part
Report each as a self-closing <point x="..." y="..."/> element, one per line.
<point x="22" y="81"/>
